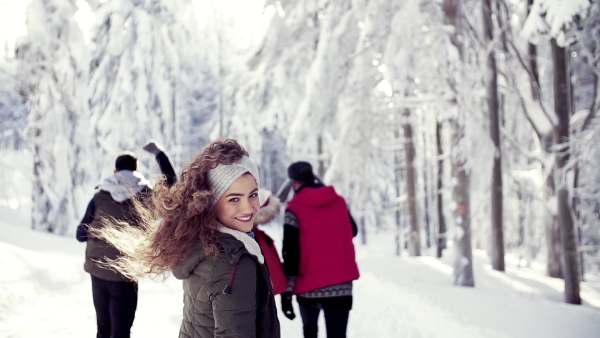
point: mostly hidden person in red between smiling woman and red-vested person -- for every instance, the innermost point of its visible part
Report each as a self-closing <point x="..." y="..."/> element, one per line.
<point x="269" y="208"/>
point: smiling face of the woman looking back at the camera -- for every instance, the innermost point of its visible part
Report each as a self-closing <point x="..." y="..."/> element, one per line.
<point x="238" y="206"/>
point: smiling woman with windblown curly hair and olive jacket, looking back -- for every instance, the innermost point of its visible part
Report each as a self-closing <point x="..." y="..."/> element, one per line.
<point x="204" y="237"/>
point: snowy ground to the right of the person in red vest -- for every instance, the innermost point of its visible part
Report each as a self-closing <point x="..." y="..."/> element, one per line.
<point x="417" y="299"/>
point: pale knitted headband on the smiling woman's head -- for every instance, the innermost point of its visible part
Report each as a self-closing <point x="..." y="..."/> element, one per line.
<point x="223" y="176"/>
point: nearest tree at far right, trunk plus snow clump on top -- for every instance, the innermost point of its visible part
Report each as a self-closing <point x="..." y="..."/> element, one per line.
<point x="558" y="19"/>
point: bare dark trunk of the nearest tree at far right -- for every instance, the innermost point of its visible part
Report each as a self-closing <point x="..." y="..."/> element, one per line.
<point x="561" y="137"/>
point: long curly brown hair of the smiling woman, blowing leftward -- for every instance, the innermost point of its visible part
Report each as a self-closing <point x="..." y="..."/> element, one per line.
<point x="176" y="218"/>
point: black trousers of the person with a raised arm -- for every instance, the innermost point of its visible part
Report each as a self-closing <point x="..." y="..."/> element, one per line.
<point x="115" y="304"/>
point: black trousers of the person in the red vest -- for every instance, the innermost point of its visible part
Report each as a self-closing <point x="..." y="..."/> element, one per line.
<point x="336" y="310"/>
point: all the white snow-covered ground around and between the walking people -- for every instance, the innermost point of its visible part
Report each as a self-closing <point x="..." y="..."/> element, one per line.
<point x="44" y="292"/>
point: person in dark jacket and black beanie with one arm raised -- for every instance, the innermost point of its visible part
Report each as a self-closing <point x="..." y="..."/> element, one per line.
<point x="115" y="295"/>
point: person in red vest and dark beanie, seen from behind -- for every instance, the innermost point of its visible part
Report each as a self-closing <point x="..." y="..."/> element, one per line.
<point x="318" y="254"/>
